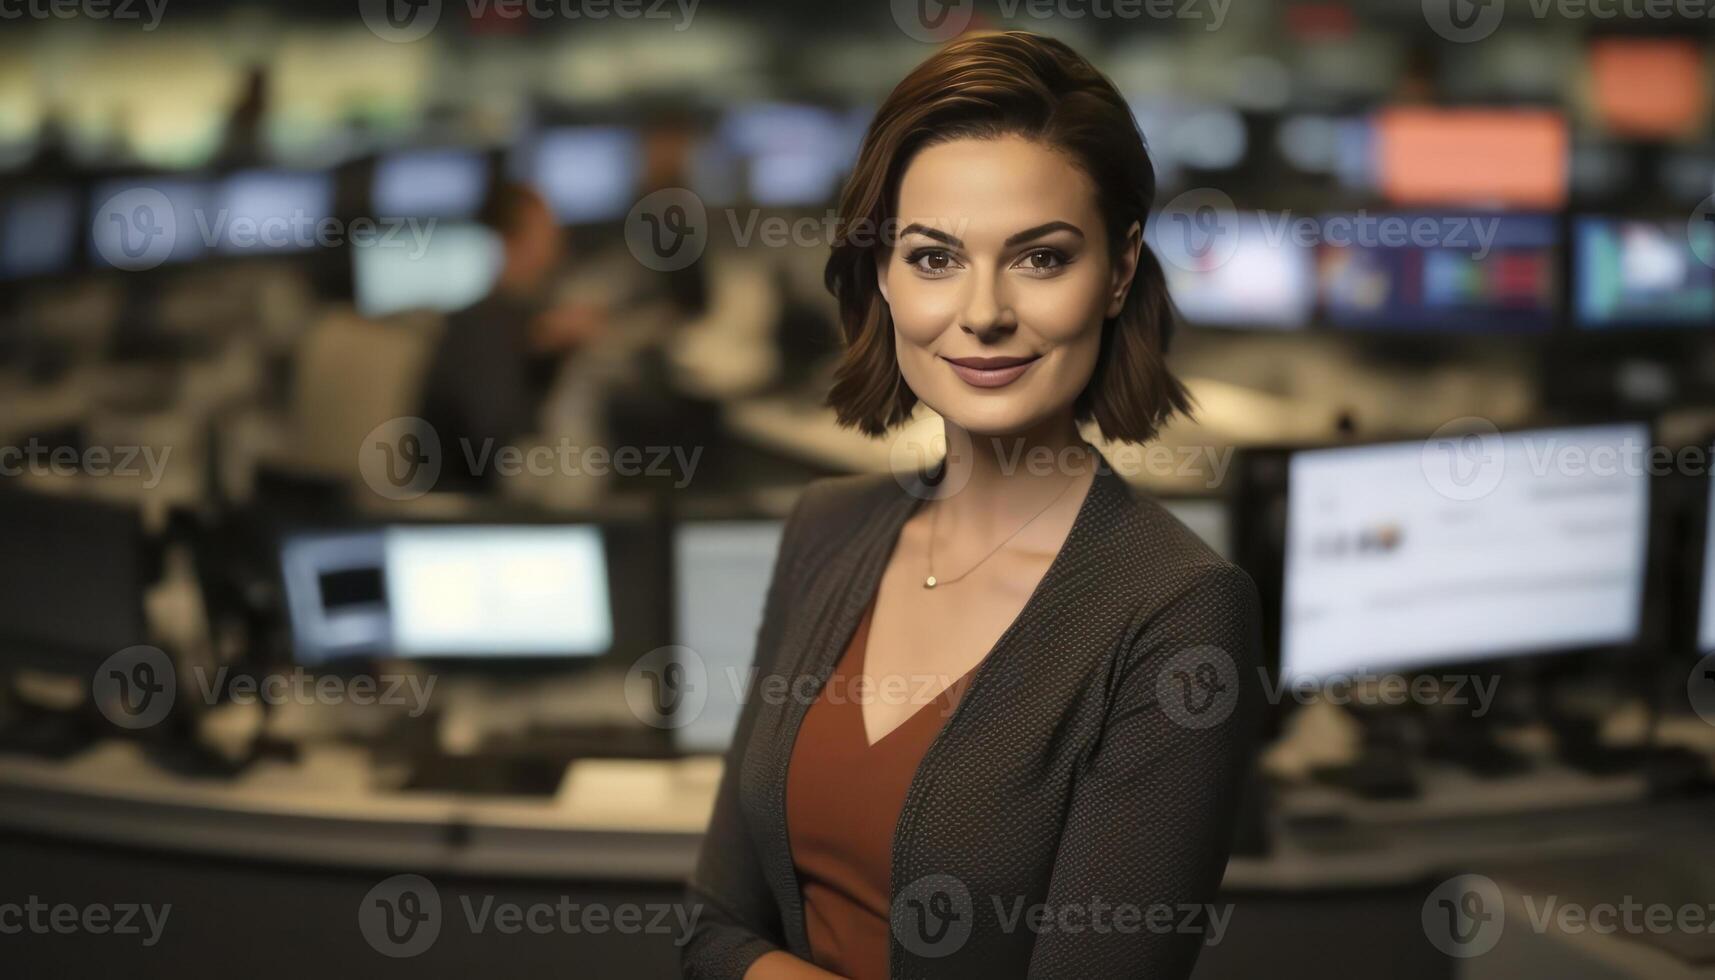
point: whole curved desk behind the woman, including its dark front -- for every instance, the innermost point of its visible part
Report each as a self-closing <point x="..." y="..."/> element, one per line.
<point x="311" y="840"/>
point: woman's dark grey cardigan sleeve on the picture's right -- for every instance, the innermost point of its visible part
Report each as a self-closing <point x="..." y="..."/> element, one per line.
<point x="1150" y="826"/>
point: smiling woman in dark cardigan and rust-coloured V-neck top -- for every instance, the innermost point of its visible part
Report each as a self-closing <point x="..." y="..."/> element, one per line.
<point x="999" y="718"/>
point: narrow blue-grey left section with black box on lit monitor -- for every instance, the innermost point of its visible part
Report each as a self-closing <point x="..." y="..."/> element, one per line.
<point x="335" y="595"/>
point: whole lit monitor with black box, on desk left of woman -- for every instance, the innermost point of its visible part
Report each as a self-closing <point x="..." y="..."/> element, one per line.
<point x="436" y="591"/>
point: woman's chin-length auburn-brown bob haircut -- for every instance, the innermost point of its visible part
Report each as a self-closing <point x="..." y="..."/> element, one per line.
<point x="987" y="87"/>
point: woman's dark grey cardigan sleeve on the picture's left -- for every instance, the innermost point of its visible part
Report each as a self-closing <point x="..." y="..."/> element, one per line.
<point x="738" y="919"/>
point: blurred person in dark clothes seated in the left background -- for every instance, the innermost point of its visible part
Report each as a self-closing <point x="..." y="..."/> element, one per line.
<point x="498" y="358"/>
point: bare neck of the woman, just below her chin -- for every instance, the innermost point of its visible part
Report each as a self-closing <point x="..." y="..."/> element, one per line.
<point x="1002" y="478"/>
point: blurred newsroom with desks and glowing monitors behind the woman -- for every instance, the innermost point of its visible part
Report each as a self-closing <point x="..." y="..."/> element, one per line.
<point x="476" y="351"/>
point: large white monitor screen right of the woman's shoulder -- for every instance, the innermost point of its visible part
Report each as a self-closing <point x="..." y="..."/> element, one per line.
<point x="1460" y="550"/>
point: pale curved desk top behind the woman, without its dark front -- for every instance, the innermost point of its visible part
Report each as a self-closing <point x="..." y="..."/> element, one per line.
<point x="642" y="821"/>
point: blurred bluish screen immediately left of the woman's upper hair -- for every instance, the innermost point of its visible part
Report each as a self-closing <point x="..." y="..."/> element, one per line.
<point x="797" y="155"/>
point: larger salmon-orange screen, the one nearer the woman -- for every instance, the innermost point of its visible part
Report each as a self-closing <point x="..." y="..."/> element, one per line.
<point x="1503" y="159"/>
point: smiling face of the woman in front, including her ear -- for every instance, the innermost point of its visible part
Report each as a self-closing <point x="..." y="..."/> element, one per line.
<point x="1001" y="282"/>
